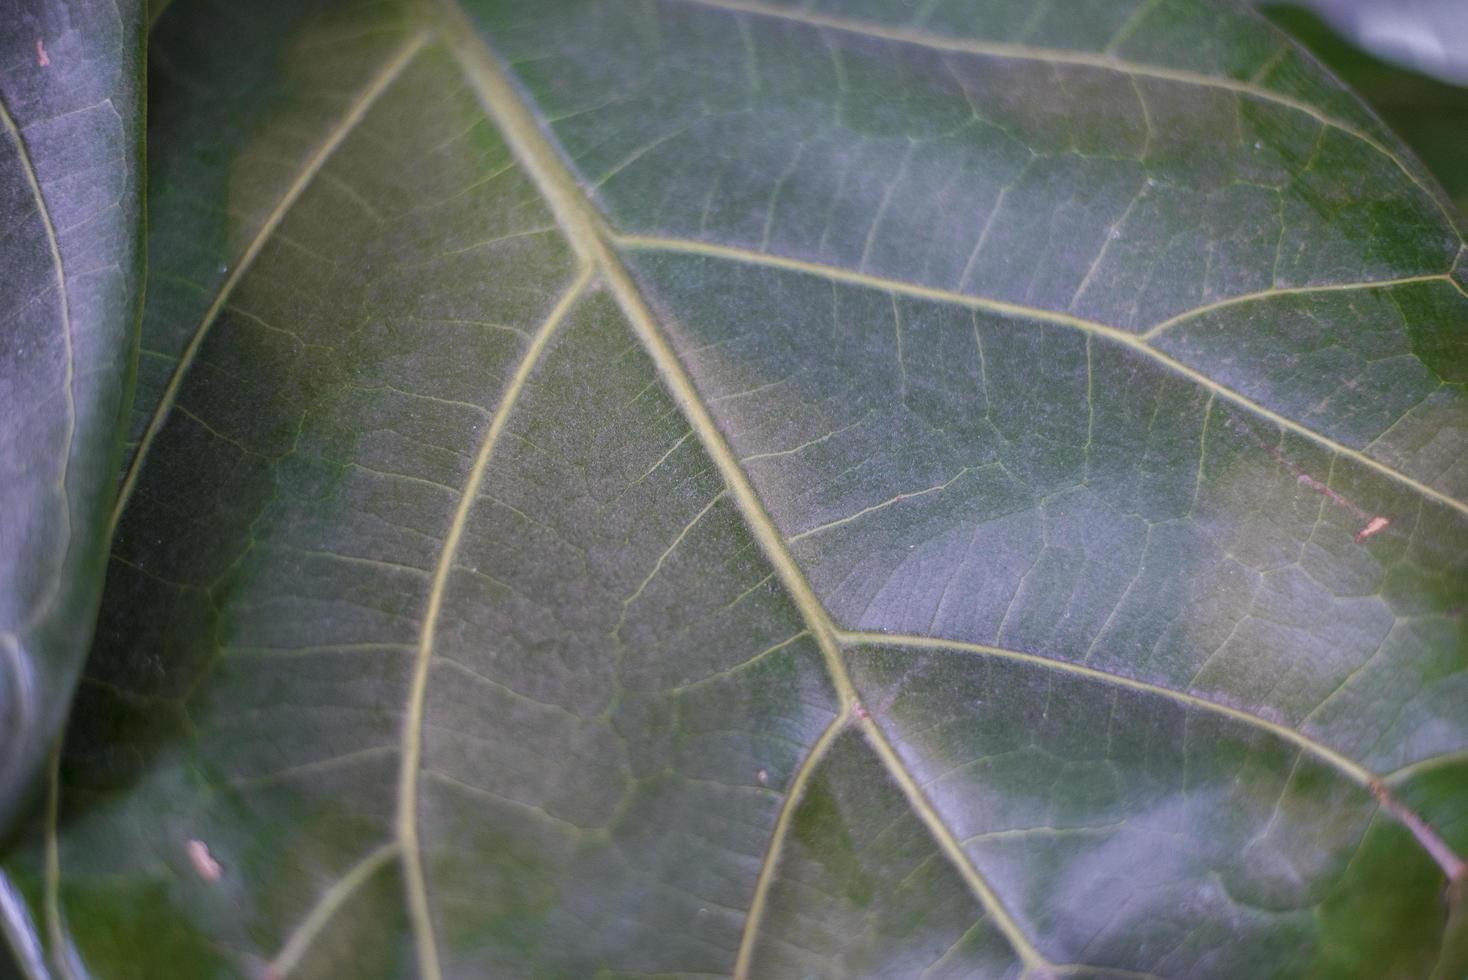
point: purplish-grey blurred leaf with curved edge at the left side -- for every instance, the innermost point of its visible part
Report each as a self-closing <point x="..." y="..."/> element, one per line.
<point x="71" y="263"/>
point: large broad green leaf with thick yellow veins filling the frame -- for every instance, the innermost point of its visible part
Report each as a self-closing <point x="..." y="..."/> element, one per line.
<point x="854" y="489"/>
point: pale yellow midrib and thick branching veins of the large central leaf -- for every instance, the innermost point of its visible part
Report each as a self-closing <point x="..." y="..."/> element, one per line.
<point x="595" y="247"/>
